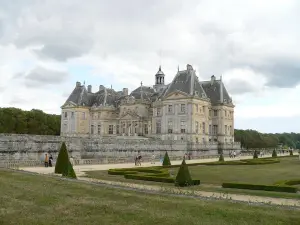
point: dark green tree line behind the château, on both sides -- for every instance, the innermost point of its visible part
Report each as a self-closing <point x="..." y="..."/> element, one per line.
<point x="13" y="120"/>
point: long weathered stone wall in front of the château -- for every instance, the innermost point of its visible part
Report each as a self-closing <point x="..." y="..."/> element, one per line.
<point x="34" y="147"/>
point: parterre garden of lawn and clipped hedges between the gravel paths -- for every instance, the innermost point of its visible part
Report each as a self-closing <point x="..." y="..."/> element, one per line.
<point x="277" y="174"/>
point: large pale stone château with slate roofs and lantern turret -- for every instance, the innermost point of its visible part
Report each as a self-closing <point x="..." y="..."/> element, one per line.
<point x="186" y="109"/>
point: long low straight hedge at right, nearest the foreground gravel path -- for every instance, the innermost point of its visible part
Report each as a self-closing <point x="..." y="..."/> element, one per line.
<point x="260" y="187"/>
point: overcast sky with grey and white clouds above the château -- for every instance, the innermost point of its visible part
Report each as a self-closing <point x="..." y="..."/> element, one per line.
<point x="46" y="46"/>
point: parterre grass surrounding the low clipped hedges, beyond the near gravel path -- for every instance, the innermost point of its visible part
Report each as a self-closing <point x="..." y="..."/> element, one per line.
<point x="213" y="176"/>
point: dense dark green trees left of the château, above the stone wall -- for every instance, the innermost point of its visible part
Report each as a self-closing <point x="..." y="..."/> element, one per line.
<point x="17" y="121"/>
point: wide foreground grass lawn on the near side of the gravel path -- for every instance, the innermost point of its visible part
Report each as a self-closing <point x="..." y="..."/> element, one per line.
<point x="36" y="199"/>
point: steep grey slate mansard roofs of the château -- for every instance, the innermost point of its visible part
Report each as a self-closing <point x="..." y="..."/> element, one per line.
<point x="185" y="81"/>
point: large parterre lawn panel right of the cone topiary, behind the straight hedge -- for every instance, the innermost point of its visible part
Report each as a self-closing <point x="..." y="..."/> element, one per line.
<point x="254" y="174"/>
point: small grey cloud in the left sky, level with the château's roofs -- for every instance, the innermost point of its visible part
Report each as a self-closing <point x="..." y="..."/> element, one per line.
<point x="41" y="77"/>
